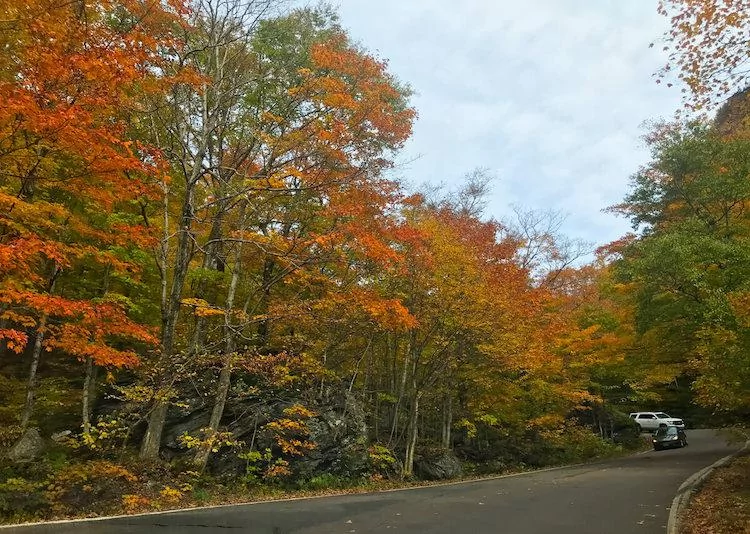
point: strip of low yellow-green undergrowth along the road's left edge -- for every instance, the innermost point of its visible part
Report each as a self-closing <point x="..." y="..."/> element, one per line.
<point x="98" y="488"/>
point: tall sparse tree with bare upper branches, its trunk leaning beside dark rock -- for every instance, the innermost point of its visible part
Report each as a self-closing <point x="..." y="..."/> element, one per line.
<point x="192" y="126"/>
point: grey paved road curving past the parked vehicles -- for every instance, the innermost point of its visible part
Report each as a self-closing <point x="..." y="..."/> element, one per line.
<point x="629" y="495"/>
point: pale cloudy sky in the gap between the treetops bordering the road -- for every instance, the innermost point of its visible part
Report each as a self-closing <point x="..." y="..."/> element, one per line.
<point x="549" y="95"/>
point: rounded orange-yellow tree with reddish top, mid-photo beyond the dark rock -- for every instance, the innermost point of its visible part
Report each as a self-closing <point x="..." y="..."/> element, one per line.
<point x="476" y="315"/>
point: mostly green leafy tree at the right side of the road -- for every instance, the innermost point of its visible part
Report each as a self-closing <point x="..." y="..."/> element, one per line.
<point x="691" y="205"/>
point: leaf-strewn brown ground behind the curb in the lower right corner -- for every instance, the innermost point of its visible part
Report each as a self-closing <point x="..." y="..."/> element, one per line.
<point x="722" y="506"/>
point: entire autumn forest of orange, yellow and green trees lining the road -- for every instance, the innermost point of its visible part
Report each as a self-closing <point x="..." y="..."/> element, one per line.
<point x="216" y="287"/>
